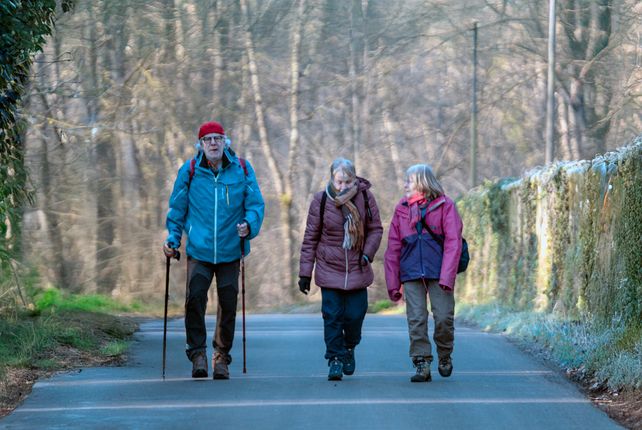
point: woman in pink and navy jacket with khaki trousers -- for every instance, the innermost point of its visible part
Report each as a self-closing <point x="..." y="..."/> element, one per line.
<point x="420" y="262"/>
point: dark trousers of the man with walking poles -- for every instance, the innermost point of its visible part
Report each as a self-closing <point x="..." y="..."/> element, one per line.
<point x="199" y="278"/>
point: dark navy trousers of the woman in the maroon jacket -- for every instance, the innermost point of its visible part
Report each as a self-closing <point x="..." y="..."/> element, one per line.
<point x="343" y="314"/>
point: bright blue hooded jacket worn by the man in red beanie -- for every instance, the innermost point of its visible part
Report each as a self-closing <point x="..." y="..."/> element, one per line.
<point x="209" y="208"/>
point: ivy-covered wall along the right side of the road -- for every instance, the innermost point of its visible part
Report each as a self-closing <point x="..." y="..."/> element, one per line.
<point x="565" y="238"/>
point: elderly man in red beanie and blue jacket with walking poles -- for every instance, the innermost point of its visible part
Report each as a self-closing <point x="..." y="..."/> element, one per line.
<point x="217" y="202"/>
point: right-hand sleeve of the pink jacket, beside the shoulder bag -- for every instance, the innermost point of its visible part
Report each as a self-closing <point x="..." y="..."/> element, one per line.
<point x="452" y="227"/>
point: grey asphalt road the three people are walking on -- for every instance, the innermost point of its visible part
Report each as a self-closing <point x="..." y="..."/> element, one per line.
<point x="494" y="386"/>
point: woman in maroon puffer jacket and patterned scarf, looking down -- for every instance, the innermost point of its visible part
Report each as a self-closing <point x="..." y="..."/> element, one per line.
<point x="342" y="235"/>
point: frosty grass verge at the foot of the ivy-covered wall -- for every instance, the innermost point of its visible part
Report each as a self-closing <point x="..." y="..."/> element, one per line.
<point x="611" y="355"/>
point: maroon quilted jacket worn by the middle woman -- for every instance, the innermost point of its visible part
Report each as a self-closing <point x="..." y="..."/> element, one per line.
<point x="337" y="267"/>
